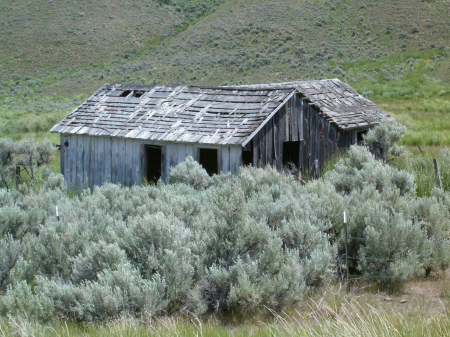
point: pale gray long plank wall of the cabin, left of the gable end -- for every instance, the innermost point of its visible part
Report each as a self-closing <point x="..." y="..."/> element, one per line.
<point x="89" y="161"/>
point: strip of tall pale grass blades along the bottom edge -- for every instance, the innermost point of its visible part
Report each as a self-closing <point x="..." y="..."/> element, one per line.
<point x="347" y="318"/>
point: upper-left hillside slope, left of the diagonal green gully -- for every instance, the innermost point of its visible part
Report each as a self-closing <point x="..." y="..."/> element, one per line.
<point x="47" y="36"/>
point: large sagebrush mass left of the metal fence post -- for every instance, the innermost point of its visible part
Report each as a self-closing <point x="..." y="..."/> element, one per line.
<point x="204" y="244"/>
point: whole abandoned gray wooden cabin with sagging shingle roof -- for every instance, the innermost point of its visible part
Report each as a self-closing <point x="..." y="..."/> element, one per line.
<point x="124" y="133"/>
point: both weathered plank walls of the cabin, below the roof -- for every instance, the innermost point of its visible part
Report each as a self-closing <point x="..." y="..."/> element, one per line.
<point x="90" y="161"/>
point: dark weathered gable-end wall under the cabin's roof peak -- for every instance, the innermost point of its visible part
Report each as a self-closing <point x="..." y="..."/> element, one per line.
<point x="299" y="127"/>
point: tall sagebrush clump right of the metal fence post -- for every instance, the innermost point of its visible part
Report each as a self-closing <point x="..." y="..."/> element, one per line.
<point x="393" y="235"/>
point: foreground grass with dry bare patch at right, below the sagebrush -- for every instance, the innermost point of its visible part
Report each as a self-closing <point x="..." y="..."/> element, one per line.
<point x="330" y="313"/>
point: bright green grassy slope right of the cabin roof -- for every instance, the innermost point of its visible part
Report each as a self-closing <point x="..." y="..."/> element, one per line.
<point x="409" y="86"/>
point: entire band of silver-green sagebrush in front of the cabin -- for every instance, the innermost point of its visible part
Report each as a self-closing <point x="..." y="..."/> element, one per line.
<point x="213" y="244"/>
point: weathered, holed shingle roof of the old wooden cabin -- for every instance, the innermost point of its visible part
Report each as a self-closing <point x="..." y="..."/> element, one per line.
<point x="210" y="115"/>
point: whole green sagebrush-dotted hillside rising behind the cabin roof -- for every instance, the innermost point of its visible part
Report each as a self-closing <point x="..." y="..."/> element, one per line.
<point x="395" y="52"/>
